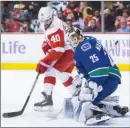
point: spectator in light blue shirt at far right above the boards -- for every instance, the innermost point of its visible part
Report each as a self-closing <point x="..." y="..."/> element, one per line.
<point x="124" y="27"/>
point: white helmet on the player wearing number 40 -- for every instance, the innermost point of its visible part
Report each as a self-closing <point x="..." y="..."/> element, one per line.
<point x="45" y="15"/>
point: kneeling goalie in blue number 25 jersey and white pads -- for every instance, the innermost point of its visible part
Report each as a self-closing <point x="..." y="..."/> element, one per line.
<point x="99" y="77"/>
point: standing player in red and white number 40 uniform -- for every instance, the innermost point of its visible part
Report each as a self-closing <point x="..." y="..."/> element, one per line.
<point x="58" y="62"/>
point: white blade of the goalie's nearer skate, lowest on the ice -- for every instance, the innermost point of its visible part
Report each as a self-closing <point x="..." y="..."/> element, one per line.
<point x="93" y="120"/>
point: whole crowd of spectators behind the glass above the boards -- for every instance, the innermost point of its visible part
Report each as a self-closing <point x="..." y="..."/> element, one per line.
<point x="21" y="16"/>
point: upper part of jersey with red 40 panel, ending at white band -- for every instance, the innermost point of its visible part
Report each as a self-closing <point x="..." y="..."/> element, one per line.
<point x="57" y="36"/>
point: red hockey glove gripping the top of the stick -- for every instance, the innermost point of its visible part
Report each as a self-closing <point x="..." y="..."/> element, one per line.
<point x="42" y="66"/>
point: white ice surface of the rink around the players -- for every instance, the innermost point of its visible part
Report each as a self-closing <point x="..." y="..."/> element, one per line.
<point x="15" y="86"/>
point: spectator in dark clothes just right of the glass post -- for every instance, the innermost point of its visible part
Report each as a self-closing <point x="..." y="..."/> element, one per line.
<point x="109" y="21"/>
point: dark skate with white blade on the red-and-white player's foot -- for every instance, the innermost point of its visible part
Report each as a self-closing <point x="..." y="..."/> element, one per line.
<point x="45" y="104"/>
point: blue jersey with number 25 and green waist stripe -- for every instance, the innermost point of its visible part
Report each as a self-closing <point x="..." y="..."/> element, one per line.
<point x="92" y="60"/>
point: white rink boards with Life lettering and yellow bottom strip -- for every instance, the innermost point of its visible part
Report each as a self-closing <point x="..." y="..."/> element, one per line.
<point x="23" y="51"/>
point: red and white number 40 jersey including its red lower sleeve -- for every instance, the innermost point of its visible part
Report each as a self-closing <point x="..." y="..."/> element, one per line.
<point x="58" y="39"/>
